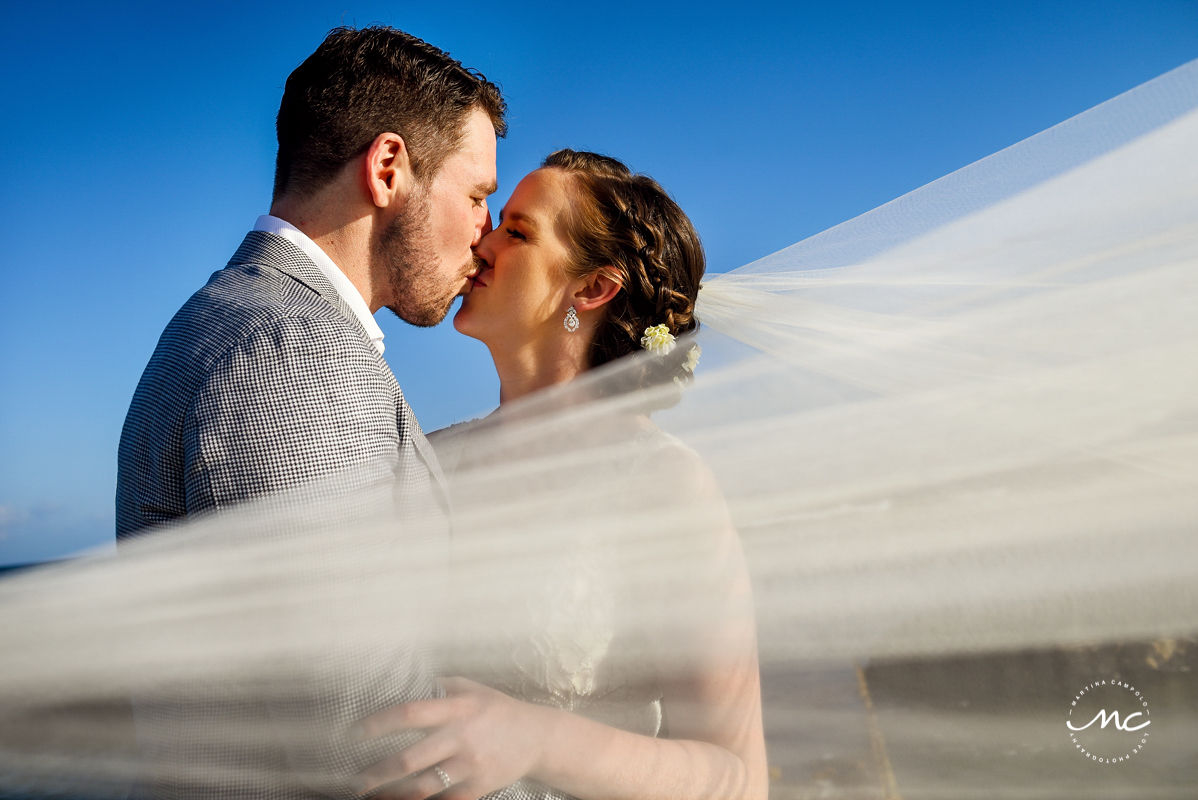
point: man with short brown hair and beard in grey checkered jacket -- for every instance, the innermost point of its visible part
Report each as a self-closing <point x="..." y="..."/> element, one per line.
<point x="271" y="378"/>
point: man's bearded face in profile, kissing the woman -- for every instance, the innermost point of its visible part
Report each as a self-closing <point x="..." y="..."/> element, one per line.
<point x="428" y="247"/>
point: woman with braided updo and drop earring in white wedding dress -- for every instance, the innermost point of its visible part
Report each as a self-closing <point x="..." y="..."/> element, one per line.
<point x="591" y="264"/>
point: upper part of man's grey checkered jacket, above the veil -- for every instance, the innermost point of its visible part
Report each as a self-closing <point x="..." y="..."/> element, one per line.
<point x="263" y="383"/>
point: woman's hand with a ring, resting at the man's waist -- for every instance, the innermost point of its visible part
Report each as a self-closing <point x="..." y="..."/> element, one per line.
<point x="479" y="741"/>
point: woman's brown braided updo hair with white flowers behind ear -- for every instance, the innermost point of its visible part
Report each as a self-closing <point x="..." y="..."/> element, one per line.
<point x="628" y="223"/>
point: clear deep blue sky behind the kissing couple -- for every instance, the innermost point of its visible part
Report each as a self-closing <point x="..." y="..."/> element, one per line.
<point x="138" y="148"/>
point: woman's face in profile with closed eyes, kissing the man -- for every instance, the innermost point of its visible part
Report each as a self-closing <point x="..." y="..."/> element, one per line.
<point x="523" y="293"/>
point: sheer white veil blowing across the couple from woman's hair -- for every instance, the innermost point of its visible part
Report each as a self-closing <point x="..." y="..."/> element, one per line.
<point x="958" y="438"/>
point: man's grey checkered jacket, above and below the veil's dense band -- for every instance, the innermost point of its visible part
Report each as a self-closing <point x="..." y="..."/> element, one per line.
<point x="265" y="383"/>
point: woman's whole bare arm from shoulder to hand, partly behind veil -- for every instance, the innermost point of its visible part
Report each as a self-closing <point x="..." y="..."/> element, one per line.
<point x="483" y="740"/>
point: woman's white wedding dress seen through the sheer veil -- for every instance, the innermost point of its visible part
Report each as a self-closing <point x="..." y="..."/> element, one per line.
<point x="572" y="639"/>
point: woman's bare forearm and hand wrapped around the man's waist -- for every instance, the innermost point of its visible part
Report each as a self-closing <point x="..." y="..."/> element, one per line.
<point x="483" y="741"/>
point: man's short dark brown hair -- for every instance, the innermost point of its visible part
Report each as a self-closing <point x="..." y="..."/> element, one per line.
<point x="372" y="81"/>
